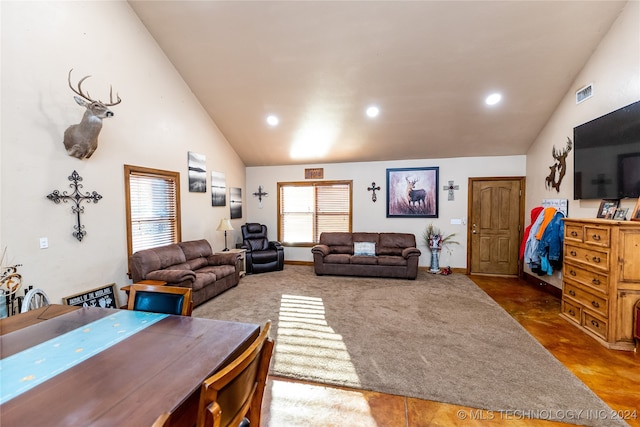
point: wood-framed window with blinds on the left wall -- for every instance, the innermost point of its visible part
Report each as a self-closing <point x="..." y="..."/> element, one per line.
<point x="153" y="207"/>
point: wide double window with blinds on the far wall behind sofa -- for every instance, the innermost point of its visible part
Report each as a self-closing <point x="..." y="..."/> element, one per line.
<point x="306" y="209"/>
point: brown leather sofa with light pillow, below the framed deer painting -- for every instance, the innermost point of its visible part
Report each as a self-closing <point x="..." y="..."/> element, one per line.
<point x="392" y="255"/>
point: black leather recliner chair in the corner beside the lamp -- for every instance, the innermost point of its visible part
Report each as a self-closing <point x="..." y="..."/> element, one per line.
<point x="262" y="255"/>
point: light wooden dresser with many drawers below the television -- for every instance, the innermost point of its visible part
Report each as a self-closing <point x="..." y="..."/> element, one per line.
<point x="601" y="278"/>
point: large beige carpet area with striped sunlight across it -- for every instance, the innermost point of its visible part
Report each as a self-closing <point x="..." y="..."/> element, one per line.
<point x="438" y="338"/>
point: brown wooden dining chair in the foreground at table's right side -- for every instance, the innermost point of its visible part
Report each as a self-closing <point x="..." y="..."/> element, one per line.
<point x="232" y="397"/>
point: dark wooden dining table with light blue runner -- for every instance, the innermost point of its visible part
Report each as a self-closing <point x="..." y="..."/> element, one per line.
<point x="71" y="366"/>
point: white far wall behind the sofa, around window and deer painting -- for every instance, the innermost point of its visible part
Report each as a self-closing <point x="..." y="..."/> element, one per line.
<point x="370" y="216"/>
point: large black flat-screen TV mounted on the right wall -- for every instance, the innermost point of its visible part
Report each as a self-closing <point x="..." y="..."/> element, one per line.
<point x="607" y="156"/>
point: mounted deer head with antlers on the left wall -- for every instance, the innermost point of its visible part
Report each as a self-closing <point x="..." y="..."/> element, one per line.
<point x="81" y="140"/>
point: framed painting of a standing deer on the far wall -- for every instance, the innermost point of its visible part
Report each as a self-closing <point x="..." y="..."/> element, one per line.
<point x="412" y="192"/>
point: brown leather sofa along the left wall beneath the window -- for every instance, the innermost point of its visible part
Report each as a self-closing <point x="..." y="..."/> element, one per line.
<point x="190" y="264"/>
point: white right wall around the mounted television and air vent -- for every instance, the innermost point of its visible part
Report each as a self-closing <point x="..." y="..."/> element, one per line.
<point x="614" y="70"/>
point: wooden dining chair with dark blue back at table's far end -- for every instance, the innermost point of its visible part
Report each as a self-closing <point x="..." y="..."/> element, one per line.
<point x="160" y="299"/>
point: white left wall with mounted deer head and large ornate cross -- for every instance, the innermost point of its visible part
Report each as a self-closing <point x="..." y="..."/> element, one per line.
<point x="157" y="123"/>
